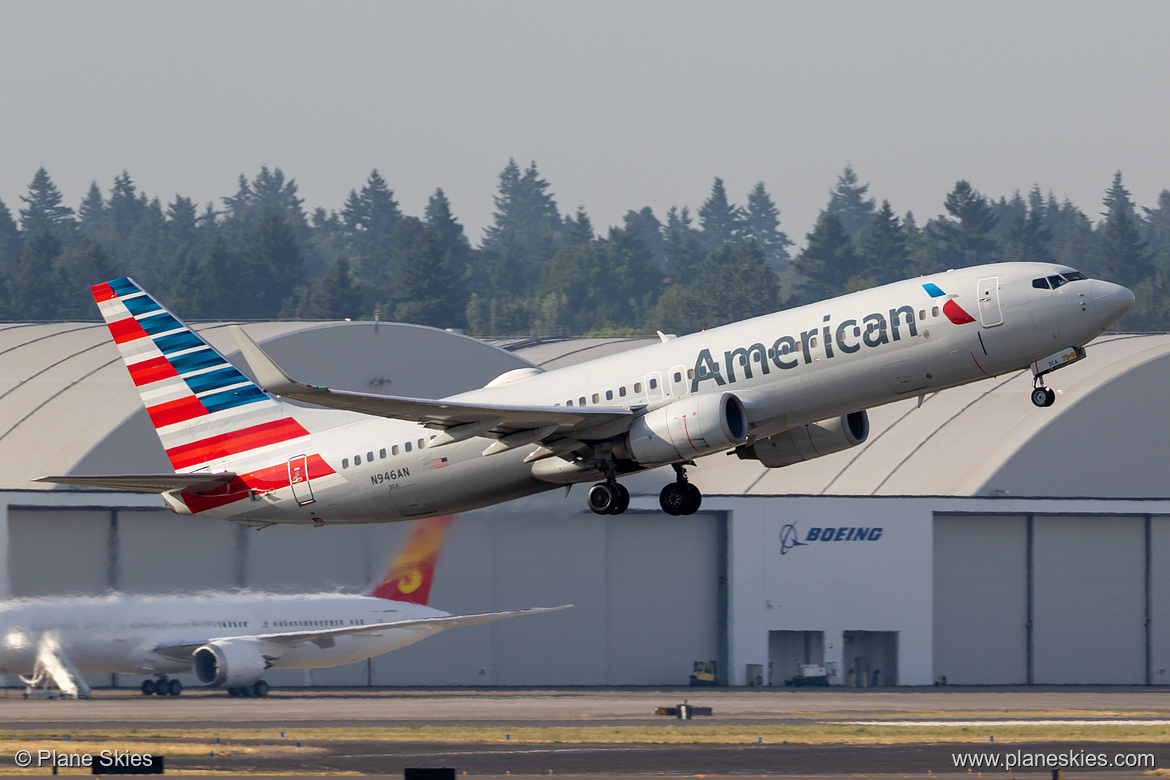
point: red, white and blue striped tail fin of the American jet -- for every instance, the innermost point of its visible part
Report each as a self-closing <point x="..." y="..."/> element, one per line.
<point x="207" y="412"/>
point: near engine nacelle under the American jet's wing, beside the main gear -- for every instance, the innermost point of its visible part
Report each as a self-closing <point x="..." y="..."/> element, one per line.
<point x="680" y="431"/>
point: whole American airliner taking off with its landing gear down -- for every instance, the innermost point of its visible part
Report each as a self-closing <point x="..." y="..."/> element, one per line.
<point x="780" y="389"/>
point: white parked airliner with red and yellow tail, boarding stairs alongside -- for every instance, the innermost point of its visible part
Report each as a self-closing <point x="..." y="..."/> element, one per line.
<point x="229" y="640"/>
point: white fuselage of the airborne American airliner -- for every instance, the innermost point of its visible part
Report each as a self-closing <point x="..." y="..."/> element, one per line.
<point x="789" y="369"/>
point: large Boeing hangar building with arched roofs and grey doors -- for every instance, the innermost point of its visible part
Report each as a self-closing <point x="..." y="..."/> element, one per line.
<point x="973" y="539"/>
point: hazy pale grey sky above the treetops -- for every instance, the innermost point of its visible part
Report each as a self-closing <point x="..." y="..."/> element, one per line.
<point x="622" y="105"/>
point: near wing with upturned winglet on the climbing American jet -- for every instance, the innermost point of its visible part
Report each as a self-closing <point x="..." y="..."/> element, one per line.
<point x="437" y="415"/>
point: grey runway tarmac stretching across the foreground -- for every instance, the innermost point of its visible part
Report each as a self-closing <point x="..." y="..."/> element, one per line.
<point x="293" y="710"/>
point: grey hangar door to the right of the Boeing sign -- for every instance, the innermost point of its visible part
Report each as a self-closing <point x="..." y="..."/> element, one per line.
<point x="1044" y="599"/>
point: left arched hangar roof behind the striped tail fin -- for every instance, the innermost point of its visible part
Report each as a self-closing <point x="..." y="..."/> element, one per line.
<point x="67" y="404"/>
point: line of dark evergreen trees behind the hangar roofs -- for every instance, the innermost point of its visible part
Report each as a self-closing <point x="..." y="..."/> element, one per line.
<point x="260" y="256"/>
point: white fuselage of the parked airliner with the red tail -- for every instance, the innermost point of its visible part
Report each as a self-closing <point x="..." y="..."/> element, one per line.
<point x="120" y="633"/>
